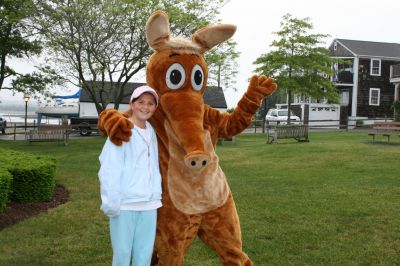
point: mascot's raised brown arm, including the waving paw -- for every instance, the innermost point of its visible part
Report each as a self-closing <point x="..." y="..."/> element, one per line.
<point x="231" y="124"/>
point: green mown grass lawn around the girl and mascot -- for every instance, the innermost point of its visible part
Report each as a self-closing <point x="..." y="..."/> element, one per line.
<point x="332" y="201"/>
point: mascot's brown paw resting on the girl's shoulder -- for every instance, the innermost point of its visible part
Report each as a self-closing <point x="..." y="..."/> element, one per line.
<point x="115" y="125"/>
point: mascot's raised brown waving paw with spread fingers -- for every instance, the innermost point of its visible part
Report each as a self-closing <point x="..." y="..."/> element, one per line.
<point x="260" y="87"/>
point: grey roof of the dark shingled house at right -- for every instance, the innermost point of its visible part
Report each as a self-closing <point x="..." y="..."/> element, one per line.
<point x="368" y="49"/>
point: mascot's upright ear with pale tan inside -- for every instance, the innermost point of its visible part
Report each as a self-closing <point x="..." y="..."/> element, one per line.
<point x="157" y="30"/>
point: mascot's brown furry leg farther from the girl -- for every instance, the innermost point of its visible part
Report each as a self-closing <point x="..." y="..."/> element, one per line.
<point x="220" y="229"/>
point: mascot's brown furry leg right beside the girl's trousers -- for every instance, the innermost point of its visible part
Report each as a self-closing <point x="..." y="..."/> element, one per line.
<point x="175" y="233"/>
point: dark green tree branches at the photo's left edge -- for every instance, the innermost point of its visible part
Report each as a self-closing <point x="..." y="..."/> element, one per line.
<point x="17" y="40"/>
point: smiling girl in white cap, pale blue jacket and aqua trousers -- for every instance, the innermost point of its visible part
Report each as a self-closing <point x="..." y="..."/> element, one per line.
<point x="130" y="184"/>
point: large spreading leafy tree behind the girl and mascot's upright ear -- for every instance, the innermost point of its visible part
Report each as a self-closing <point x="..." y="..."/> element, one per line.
<point x="100" y="45"/>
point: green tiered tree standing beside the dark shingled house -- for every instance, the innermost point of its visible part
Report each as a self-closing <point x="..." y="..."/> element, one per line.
<point x="298" y="63"/>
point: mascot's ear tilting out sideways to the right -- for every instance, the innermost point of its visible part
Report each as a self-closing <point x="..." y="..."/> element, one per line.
<point x="213" y="35"/>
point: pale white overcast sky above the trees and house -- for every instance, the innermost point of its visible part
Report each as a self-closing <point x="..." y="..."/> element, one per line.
<point x="256" y="20"/>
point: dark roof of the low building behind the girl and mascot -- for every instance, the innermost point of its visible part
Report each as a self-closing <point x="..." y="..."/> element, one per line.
<point x="213" y="95"/>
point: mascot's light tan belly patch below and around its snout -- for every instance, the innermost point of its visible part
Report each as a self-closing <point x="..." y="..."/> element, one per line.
<point x="195" y="191"/>
